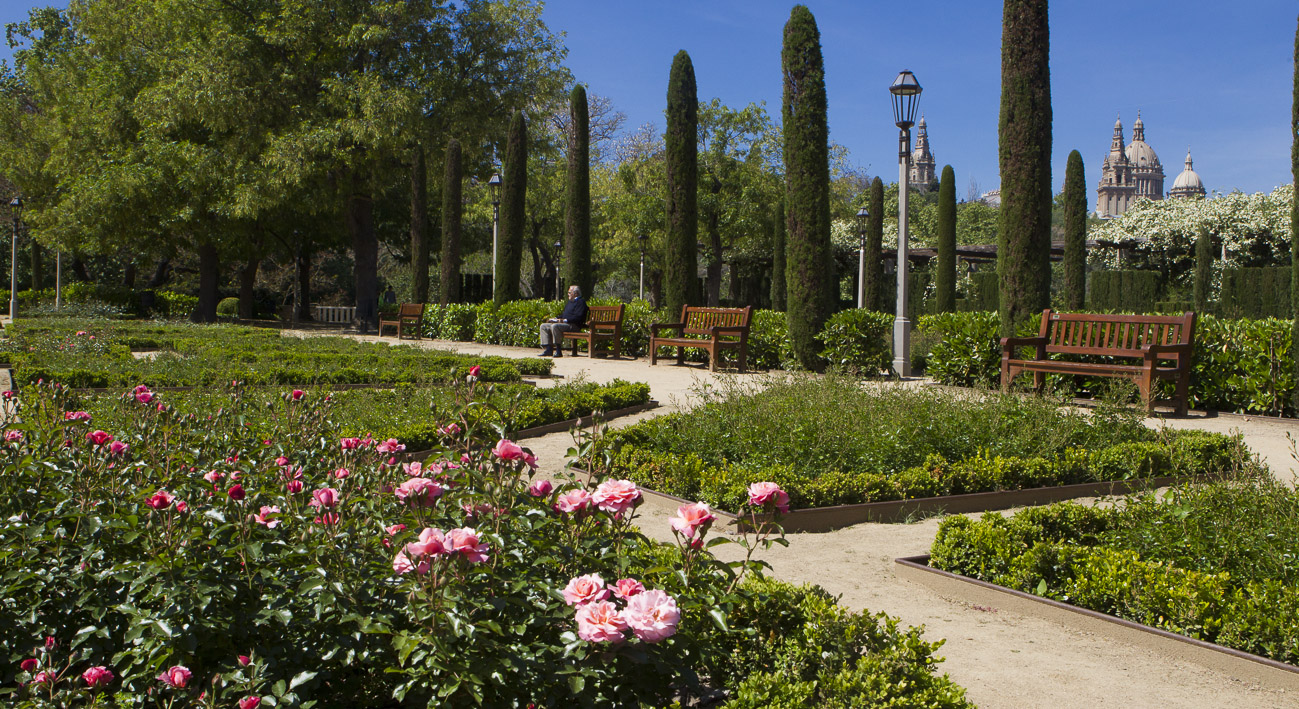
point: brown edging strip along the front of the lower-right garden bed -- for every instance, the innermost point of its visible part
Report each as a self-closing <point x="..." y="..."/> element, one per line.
<point x="1237" y="664"/>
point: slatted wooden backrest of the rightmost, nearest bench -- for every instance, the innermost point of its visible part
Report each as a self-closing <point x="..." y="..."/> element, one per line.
<point x="1114" y="336"/>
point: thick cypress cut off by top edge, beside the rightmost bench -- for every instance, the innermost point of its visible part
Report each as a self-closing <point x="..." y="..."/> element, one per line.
<point x="1024" y="151"/>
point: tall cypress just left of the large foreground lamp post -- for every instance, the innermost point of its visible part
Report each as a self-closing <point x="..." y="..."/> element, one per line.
<point x="810" y="269"/>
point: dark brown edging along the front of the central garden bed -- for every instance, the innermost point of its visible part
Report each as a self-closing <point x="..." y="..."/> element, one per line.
<point x="822" y="520"/>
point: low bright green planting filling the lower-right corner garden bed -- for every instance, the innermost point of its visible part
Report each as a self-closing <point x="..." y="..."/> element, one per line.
<point x="1078" y="555"/>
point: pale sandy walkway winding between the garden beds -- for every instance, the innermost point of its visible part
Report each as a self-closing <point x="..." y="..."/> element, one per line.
<point x="1006" y="660"/>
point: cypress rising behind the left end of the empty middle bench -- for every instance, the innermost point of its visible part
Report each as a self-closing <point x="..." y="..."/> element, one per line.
<point x="681" y="281"/>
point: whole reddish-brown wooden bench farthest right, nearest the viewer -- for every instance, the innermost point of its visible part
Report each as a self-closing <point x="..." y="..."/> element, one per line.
<point x="1157" y="341"/>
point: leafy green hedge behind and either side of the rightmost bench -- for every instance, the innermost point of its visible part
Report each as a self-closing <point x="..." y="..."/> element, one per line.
<point x="1240" y="366"/>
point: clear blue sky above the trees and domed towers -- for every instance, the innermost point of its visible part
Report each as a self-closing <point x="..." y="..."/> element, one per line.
<point x="1211" y="76"/>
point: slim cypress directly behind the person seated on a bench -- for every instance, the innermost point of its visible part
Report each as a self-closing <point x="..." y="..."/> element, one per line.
<point x="577" y="206"/>
